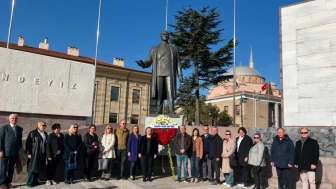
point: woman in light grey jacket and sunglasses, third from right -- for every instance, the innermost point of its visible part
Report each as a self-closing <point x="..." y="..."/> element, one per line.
<point x="257" y="160"/>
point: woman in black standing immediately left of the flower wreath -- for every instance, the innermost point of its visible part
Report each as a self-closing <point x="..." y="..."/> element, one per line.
<point x="148" y="150"/>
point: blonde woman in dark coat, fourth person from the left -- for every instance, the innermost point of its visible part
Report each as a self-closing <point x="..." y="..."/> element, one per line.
<point x="72" y="145"/>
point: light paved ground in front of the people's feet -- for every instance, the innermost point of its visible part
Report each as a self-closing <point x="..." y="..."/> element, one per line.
<point x="158" y="183"/>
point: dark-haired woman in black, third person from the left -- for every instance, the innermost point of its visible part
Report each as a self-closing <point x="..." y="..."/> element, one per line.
<point x="55" y="151"/>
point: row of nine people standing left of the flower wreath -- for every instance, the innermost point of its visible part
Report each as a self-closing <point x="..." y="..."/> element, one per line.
<point x="44" y="151"/>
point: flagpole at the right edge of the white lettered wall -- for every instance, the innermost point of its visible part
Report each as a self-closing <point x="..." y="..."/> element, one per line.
<point x="96" y="56"/>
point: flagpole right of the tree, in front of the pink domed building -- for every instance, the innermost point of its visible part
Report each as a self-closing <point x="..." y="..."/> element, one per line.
<point x="234" y="64"/>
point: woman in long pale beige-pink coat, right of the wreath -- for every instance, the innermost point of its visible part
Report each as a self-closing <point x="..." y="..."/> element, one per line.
<point x="229" y="147"/>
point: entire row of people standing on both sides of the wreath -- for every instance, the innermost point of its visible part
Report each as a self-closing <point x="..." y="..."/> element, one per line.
<point x="209" y="154"/>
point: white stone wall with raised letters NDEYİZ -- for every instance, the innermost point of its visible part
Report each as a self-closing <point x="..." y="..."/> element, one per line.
<point x="33" y="83"/>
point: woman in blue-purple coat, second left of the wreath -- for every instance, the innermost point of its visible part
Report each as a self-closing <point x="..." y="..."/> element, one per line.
<point x="132" y="150"/>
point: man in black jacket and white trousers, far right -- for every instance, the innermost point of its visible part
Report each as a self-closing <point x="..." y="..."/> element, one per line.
<point x="306" y="158"/>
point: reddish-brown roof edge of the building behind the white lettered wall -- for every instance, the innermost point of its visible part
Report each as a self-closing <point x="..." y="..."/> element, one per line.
<point x="65" y="56"/>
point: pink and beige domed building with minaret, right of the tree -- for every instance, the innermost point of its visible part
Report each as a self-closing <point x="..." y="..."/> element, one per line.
<point x="257" y="109"/>
